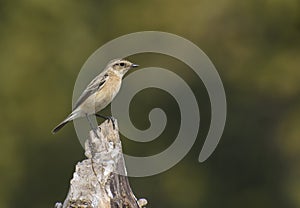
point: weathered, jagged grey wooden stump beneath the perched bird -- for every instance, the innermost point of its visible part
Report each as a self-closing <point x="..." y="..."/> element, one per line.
<point x="100" y="180"/>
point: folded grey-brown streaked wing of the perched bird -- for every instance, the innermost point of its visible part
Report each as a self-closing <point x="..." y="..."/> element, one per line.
<point x="96" y="84"/>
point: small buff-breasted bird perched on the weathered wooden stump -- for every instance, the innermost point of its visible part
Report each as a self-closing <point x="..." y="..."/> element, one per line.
<point x="99" y="92"/>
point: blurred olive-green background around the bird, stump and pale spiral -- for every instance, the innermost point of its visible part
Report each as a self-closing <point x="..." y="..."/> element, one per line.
<point x="255" y="45"/>
